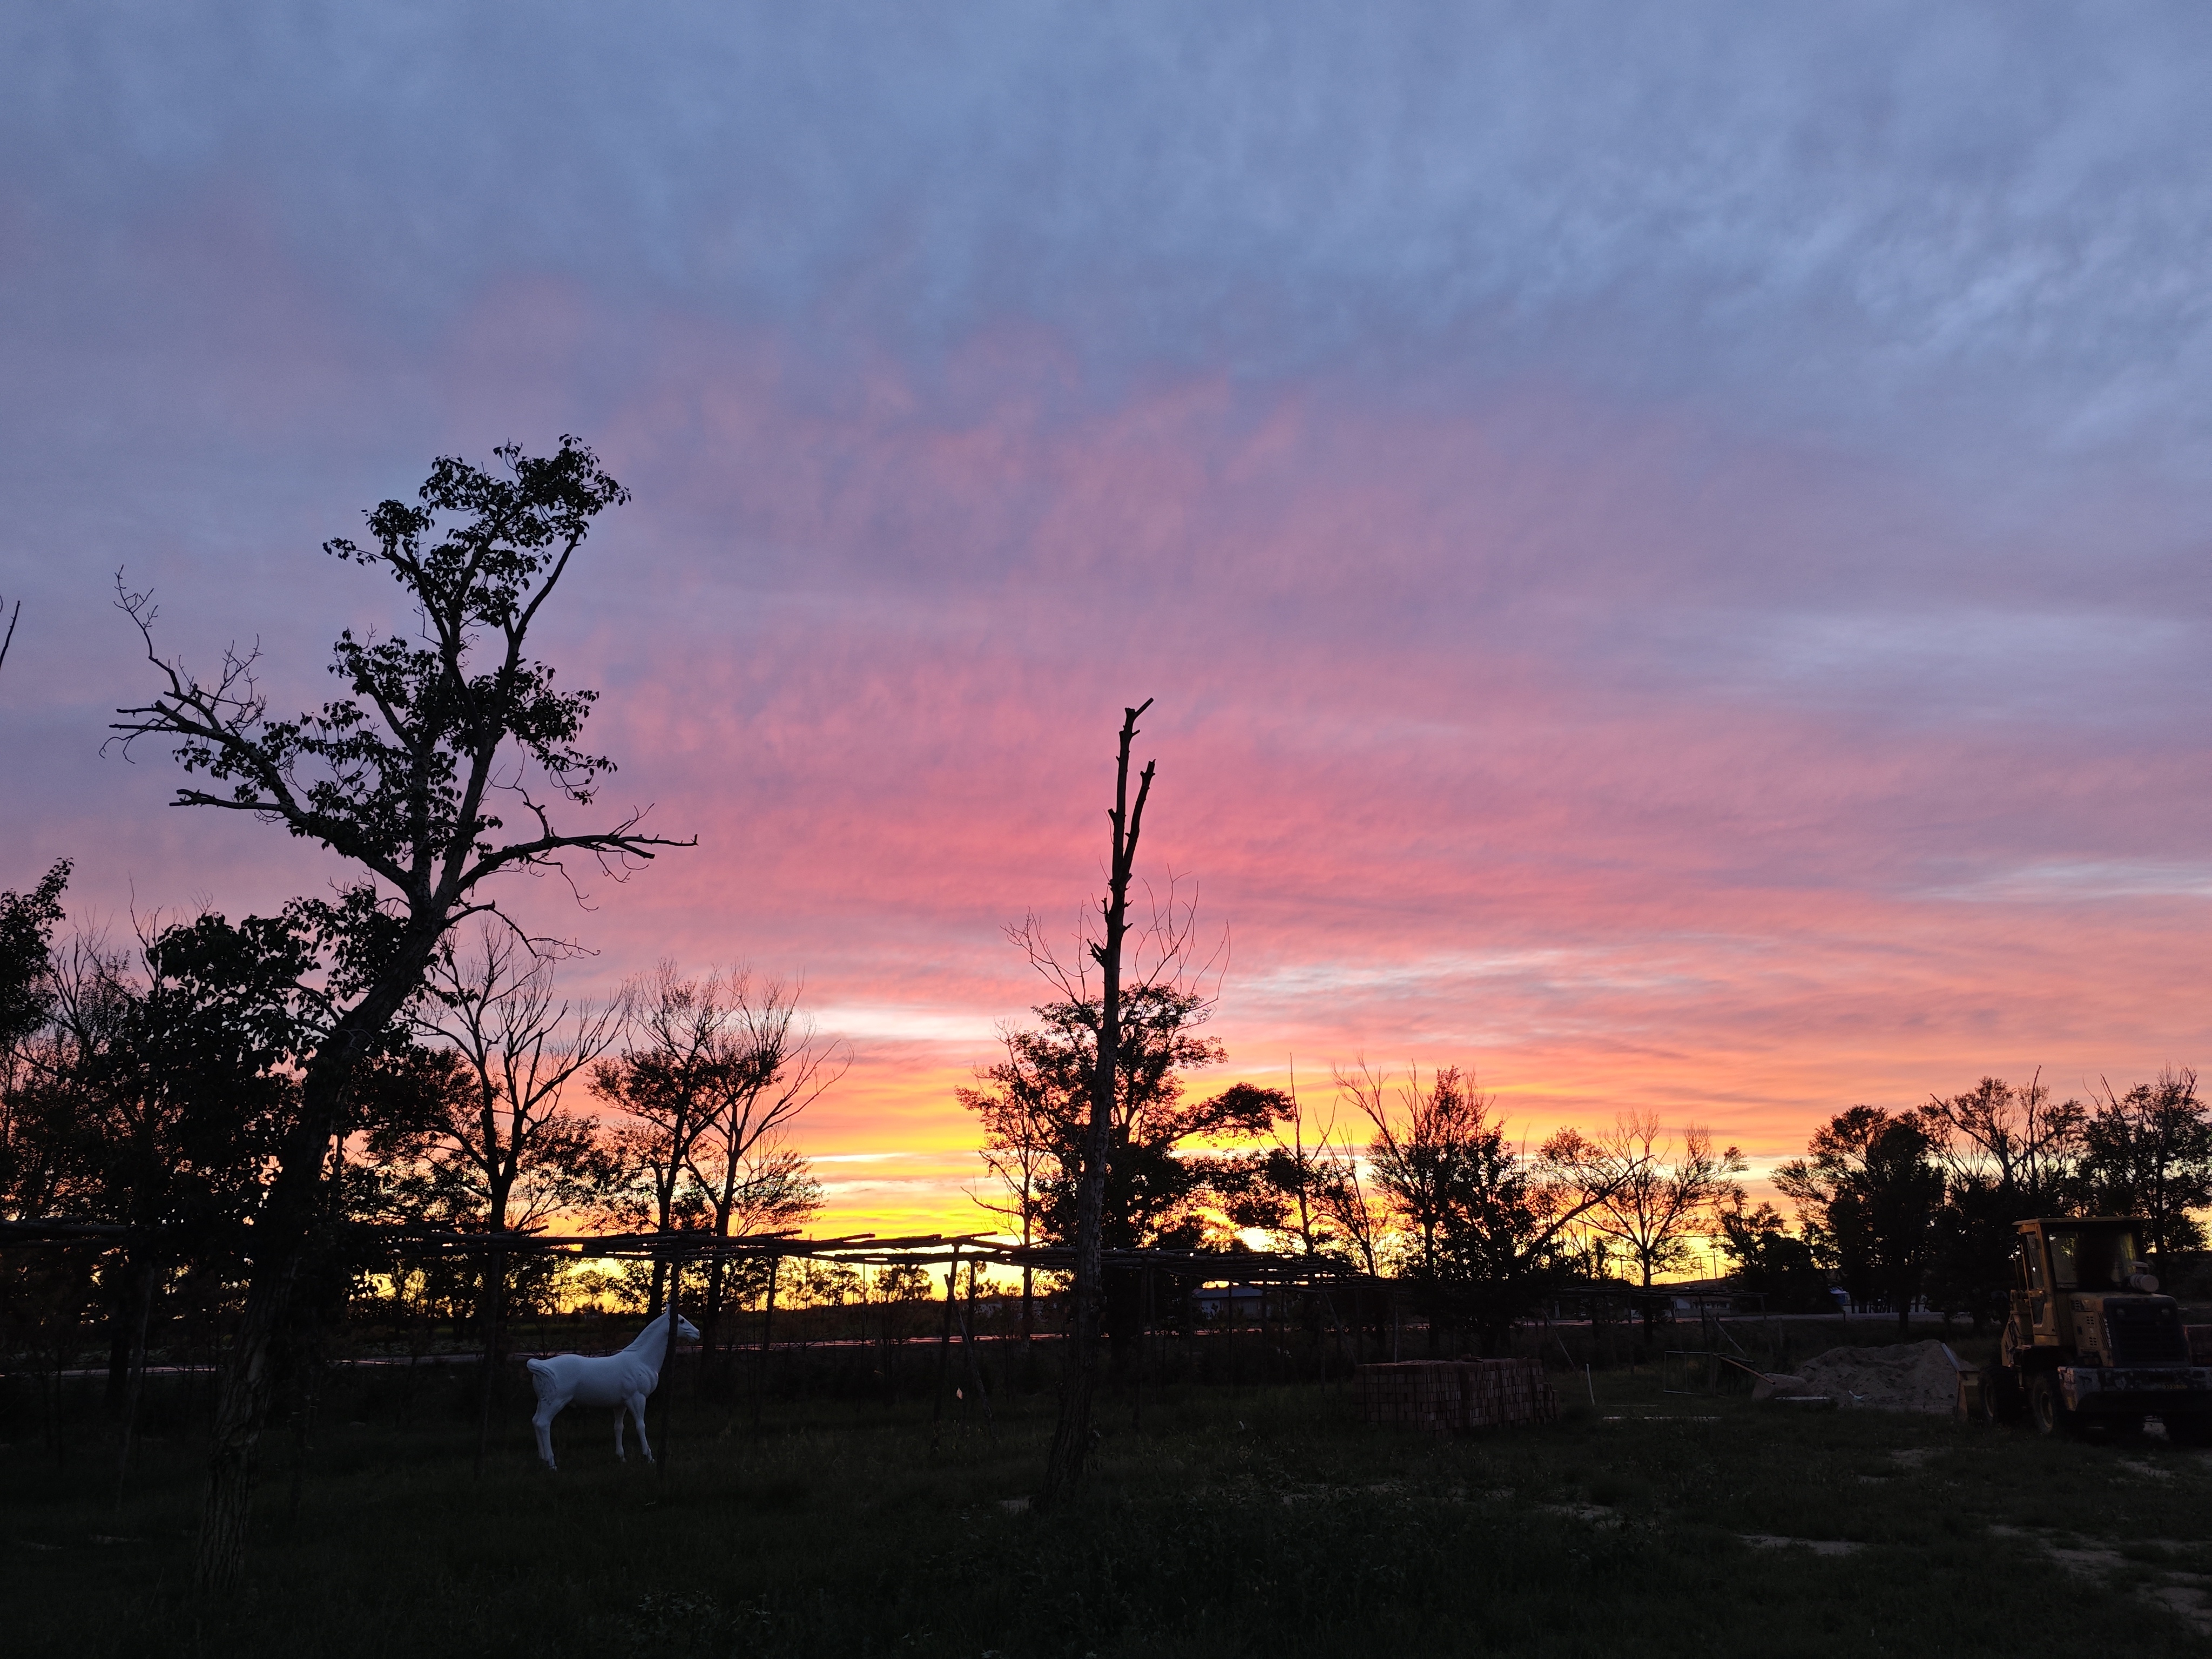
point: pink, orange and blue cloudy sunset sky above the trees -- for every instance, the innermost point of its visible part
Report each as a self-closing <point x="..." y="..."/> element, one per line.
<point x="1669" y="543"/>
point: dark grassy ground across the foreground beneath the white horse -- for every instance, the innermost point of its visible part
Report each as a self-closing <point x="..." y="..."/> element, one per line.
<point x="1266" y="1523"/>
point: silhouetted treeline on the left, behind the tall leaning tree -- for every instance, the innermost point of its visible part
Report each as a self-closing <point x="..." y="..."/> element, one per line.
<point x="149" y="1085"/>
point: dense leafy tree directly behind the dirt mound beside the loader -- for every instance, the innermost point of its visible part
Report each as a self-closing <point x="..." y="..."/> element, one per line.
<point x="1870" y="1191"/>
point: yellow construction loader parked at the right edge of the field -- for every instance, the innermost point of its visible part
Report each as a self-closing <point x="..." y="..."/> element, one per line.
<point x="2091" y="1342"/>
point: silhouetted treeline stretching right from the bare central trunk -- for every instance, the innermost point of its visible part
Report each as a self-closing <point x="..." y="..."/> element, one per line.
<point x="1419" y="1178"/>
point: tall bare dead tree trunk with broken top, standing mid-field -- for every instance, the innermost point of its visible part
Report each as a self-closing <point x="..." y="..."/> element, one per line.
<point x="1072" y="1434"/>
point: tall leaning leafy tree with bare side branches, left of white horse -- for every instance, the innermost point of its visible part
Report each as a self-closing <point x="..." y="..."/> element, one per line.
<point x="410" y="778"/>
